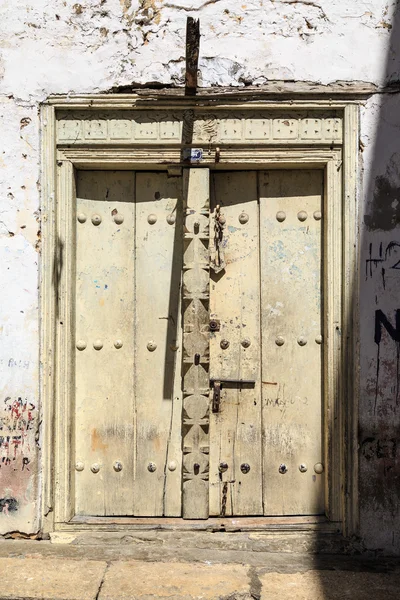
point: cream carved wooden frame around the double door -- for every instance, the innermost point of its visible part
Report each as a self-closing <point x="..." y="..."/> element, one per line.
<point x="127" y="132"/>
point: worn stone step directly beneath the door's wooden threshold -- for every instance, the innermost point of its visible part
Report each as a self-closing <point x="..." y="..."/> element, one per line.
<point x="233" y="542"/>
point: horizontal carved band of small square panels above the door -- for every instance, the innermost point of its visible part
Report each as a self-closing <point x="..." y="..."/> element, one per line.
<point x="155" y="127"/>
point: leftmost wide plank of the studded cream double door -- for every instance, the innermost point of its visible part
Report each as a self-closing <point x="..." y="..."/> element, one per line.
<point x="104" y="342"/>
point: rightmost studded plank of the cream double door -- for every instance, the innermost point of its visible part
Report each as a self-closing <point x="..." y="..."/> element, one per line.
<point x="291" y="214"/>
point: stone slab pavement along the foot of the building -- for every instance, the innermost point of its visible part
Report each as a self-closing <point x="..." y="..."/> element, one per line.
<point x="47" y="571"/>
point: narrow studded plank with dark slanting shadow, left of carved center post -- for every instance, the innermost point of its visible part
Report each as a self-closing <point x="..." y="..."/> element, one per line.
<point x="158" y="396"/>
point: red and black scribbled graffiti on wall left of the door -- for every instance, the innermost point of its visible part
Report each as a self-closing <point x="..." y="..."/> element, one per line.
<point x="16" y="425"/>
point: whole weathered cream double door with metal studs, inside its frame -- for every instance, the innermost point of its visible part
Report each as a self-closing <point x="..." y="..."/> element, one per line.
<point x="252" y="442"/>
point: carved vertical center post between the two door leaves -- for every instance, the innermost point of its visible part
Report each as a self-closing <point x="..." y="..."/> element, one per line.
<point x="195" y="297"/>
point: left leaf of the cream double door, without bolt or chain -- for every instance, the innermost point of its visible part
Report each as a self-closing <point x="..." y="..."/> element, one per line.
<point x="127" y="304"/>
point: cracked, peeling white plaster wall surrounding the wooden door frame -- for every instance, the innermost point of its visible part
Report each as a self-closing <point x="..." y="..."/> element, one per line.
<point x="55" y="46"/>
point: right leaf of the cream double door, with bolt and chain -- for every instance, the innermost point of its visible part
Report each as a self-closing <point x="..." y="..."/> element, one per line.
<point x="266" y="443"/>
